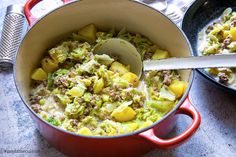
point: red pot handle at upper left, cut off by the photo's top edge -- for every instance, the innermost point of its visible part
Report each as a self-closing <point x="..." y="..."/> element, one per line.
<point x="27" y="9"/>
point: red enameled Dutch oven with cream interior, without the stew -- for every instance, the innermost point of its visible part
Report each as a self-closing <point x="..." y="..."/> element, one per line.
<point x="136" y="17"/>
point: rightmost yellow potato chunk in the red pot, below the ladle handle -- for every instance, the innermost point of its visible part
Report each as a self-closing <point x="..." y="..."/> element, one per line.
<point x="178" y="88"/>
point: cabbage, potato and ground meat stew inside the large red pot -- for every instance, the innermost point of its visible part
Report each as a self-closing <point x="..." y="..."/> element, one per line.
<point x="97" y="95"/>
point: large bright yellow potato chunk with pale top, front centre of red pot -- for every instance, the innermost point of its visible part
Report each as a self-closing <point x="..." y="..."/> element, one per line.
<point x="123" y="114"/>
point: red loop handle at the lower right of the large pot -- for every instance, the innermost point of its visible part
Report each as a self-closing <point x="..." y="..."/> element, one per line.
<point x="187" y="109"/>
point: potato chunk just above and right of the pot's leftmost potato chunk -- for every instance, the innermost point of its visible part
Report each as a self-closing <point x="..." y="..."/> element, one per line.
<point x="49" y="65"/>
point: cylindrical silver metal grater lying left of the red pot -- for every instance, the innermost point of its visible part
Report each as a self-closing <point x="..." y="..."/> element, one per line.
<point x="12" y="32"/>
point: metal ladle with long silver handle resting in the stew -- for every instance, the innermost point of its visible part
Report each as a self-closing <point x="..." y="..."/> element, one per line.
<point x="129" y="55"/>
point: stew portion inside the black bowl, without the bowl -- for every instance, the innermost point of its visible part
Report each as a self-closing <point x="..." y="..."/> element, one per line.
<point x="219" y="37"/>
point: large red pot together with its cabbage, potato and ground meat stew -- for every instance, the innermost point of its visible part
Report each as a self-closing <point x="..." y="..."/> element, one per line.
<point x="87" y="104"/>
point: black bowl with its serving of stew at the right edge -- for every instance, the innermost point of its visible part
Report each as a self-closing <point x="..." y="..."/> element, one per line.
<point x="210" y="28"/>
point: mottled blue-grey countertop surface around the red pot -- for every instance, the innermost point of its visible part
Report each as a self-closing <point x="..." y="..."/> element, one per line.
<point x="215" y="137"/>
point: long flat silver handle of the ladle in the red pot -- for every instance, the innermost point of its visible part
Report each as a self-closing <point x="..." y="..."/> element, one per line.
<point x="216" y="61"/>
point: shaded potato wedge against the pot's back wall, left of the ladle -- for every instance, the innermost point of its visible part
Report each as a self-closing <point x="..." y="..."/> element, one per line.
<point x="88" y="33"/>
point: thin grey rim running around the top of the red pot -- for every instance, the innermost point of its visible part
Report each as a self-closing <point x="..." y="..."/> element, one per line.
<point x="104" y="137"/>
